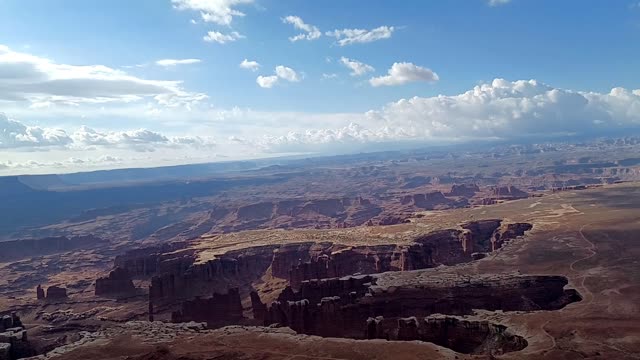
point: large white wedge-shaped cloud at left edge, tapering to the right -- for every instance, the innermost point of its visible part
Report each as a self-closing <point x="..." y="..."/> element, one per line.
<point x="25" y="77"/>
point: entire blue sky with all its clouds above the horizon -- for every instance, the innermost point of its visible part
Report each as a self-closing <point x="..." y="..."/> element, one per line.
<point x="88" y="85"/>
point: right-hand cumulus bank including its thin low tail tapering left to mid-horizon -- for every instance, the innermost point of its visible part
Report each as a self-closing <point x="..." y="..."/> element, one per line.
<point x="501" y="109"/>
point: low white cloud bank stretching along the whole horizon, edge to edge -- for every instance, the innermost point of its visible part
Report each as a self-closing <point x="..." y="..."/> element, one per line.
<point x="500" y="109"/>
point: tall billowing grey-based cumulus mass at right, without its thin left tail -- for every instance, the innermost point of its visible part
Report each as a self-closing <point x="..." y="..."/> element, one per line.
<point x="509" y="110"/>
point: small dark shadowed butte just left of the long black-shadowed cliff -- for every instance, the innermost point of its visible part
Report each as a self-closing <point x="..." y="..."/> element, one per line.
<point x="220" y="309"/>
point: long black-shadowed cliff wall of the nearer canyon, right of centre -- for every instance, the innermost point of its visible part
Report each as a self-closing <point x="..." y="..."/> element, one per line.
<point x="341" y="307"/>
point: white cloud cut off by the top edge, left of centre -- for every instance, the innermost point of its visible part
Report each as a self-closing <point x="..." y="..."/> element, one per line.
<point x="220" y="12"/>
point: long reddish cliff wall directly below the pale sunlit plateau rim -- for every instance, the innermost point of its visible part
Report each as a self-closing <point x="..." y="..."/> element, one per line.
<point x="184" y="277"/>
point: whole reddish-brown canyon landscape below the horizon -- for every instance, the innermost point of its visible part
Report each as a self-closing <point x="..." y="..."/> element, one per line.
<point x="512" y="254"/>
